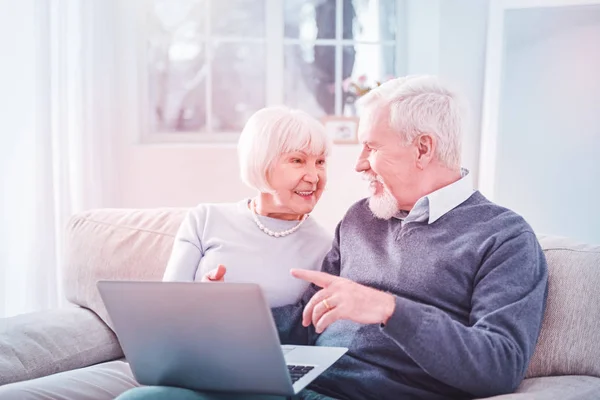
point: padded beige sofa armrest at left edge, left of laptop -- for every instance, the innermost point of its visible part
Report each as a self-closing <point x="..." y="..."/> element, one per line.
<point x="46" y="342"/>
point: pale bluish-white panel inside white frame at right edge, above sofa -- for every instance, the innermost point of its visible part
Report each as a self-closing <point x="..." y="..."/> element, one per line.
<point x="549" y="136"/>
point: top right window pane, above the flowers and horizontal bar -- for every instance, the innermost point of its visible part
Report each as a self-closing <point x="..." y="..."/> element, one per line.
<point x="370" y="20"/>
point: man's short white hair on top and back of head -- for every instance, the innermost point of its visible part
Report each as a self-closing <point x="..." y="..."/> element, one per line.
<point x="423" y="104"/>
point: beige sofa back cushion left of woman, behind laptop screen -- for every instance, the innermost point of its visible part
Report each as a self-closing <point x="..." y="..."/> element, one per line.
<point x="116" y="244"/>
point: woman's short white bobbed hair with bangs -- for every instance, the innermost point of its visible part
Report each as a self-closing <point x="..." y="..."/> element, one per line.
<point x="271" y="132"/>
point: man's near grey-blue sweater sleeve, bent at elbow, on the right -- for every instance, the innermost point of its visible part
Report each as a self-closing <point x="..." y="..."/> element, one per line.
<point x="491" y="355"/>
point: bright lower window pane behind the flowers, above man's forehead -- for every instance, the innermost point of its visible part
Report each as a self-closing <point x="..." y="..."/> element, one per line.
<point x="373" y="64"/>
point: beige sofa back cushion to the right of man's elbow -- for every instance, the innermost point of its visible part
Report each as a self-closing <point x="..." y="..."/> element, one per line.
<point x="568" y="342"/>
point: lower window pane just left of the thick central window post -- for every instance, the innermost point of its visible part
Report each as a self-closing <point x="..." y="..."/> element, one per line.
<point x="238" y="84"/>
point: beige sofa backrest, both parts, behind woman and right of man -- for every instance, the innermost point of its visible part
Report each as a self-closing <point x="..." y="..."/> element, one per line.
<point x="127" y="244"/>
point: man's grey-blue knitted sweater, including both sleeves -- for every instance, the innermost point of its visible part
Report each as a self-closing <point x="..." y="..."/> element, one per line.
<point x="470" y="294"/>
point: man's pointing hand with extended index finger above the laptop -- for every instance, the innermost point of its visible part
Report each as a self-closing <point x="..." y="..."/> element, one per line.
<point x="342" y="298"/>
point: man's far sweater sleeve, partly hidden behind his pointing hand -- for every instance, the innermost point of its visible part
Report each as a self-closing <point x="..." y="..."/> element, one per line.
<point x="288" y="319"/>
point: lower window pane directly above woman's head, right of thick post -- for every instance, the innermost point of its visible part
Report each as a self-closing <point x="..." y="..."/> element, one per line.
<point x="309" y="78"/>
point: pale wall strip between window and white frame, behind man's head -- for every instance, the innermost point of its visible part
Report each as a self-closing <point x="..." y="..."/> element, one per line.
<point x="448" y="38"/>
